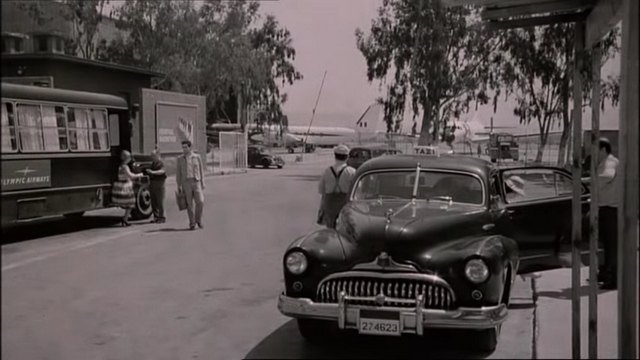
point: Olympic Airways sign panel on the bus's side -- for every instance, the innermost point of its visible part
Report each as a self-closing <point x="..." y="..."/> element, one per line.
<point x="26" y="174"/>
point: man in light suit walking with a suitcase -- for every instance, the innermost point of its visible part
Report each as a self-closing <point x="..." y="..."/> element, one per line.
<point x="190" y="180"/>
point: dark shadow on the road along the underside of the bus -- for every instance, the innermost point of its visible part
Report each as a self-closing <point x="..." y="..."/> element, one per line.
<point x="55" y="226"/>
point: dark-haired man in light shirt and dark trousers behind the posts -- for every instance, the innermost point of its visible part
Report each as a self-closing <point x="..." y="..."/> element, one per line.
<point x="608" y="190"/>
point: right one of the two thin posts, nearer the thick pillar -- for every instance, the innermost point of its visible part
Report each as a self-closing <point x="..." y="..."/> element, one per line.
<point x="593" y="218"/>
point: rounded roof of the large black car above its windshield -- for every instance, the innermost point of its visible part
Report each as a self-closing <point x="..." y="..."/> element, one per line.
<point x="468" y="164"/>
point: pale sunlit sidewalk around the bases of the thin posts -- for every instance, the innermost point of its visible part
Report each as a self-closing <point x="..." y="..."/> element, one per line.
<point x="553" y="316"/>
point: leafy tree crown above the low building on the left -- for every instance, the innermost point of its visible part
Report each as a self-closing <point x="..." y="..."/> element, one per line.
<point x="217" y="51"/>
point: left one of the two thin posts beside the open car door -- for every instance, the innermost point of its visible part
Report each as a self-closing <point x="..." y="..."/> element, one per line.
<point x="576" y="228"/>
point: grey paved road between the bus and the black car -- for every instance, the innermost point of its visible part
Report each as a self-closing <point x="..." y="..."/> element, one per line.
<point x="99" y="291"/>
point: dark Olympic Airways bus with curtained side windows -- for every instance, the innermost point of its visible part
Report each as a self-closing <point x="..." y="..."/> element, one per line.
<point x="60" y="153"/>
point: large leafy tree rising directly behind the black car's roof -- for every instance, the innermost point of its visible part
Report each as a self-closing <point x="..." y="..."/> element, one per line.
<point x="435" y="55"/>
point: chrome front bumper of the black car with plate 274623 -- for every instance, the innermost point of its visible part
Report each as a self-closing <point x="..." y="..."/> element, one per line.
<point x="412" y="320"/>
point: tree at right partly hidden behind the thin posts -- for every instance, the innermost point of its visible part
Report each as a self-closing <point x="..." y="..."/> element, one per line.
<point x="537" y="68"/>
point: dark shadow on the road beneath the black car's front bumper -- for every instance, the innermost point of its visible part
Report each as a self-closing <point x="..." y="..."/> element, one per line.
<point x="286" y="343"/>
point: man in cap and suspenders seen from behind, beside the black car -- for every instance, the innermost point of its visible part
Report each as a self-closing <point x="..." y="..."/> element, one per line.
<point x="334" y="185"/>
